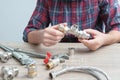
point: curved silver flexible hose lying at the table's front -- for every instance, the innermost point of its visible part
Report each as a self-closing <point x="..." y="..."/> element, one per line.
<point x="95" y="72"/>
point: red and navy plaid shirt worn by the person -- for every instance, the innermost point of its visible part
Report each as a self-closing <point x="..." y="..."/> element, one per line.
<point x="102" y="15"/>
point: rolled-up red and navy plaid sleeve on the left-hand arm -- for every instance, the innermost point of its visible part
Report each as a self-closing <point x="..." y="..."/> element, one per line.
<point x="39" y="19"/>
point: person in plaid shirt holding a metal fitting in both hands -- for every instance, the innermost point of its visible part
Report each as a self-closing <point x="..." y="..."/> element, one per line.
<point x="100" y="18"/>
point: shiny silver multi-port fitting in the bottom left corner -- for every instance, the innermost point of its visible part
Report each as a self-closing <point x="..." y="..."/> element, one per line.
<point x="8" y="73"/>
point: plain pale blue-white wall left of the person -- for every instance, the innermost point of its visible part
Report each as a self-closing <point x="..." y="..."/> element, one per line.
<point x="14" y="16"/>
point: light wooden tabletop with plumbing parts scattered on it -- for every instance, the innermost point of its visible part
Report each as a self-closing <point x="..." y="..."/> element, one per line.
<point x="107" y="58"/>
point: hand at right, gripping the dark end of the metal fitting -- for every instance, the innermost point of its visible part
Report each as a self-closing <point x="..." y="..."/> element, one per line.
<point x="96" y="42"/>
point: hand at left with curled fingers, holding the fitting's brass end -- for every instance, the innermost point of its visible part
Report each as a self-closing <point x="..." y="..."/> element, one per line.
<point x="52" y="35"/>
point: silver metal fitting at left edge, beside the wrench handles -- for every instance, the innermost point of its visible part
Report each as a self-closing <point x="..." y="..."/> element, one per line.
<point x="5" y="56"/>
